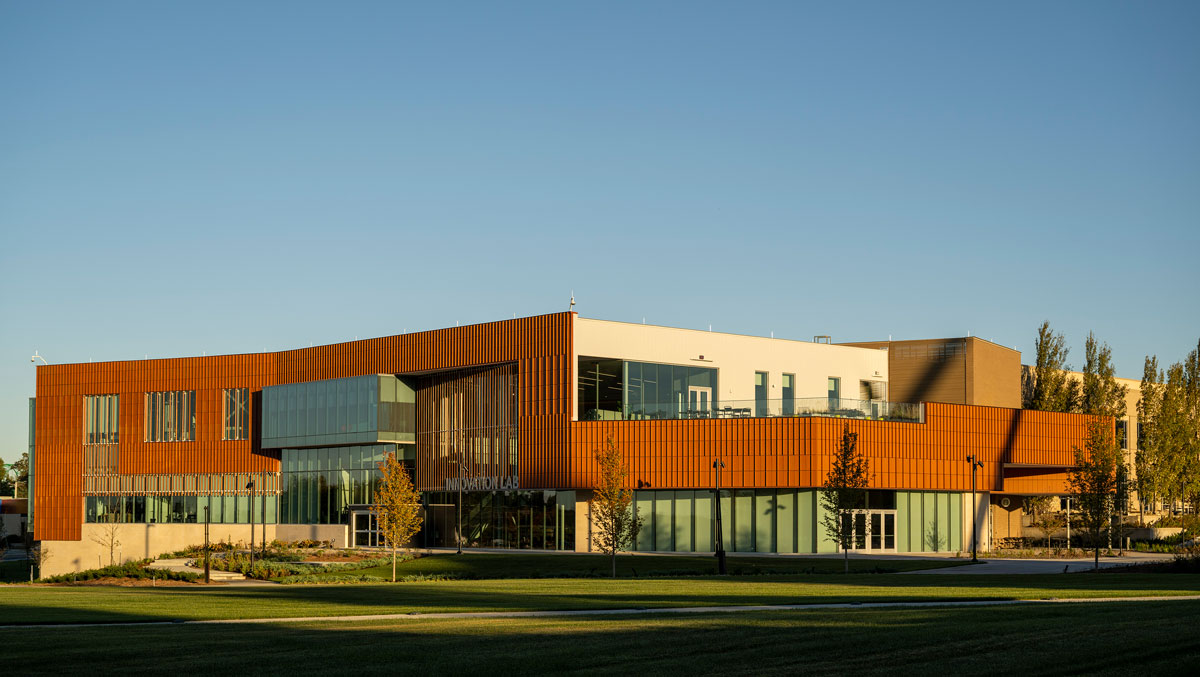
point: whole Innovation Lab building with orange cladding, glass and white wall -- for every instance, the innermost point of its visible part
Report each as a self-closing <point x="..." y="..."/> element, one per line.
<point x="507" y="416"/>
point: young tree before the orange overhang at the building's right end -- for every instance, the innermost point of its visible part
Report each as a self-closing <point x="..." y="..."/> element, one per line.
<point x="1094" y="482"/>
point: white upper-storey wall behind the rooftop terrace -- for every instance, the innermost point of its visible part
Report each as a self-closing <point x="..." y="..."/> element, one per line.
<point x="736" y="358"/>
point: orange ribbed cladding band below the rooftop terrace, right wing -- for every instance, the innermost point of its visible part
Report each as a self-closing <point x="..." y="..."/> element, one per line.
<point x="796" y="452"/>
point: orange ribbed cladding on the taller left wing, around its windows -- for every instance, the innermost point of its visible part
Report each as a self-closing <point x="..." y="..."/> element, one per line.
<point x="539" y="346"/>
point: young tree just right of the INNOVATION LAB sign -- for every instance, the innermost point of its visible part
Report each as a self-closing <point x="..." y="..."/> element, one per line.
<point x="614" y="516"/>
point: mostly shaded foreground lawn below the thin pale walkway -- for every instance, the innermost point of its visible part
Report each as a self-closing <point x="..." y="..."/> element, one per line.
<point x="1094" y="639"/>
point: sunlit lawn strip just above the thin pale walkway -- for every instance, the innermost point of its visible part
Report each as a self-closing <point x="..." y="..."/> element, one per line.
<point x="82" y="604"/>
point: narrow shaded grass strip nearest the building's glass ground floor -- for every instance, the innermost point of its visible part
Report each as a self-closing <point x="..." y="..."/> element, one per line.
<point x="519" y="566"/>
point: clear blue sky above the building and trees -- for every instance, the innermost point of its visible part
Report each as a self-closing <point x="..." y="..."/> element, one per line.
<point x="212" y="177"/>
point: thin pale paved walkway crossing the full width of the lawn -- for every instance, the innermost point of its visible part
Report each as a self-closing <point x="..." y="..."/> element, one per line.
<point x="637" y="612"/>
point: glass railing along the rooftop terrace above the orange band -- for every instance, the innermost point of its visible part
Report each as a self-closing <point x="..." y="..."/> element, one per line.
<point x="826" y="408"/>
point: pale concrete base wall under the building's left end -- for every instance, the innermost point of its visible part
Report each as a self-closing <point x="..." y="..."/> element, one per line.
<point x="137" y="542"/>
